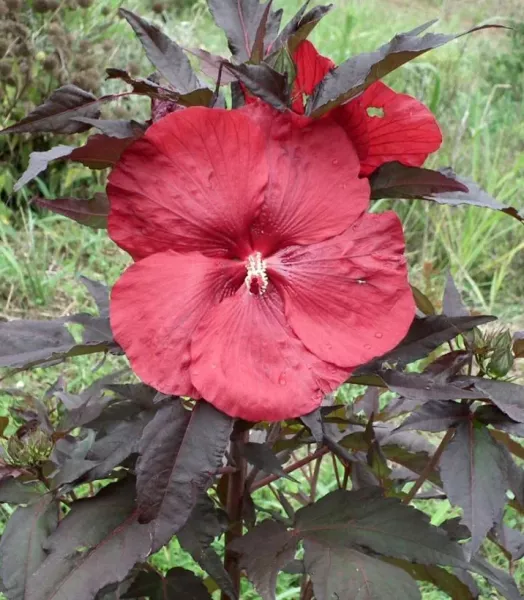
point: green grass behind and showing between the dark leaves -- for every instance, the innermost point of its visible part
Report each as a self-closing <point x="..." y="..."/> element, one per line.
<point x="41" y="256"/>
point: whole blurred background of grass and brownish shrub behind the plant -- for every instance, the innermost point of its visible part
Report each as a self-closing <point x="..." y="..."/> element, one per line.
<point x="475" y="86"/>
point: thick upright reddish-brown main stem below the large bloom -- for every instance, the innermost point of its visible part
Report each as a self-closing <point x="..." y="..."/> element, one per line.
<point x="235" y="497"/>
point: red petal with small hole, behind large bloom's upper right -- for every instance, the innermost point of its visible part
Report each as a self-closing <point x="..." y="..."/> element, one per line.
<point x="406" y="131"/>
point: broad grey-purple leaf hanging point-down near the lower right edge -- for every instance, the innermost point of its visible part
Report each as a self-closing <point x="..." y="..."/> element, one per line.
<point x="474" y="472"/>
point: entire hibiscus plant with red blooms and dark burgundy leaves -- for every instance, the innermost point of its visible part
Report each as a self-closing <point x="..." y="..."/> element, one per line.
<point x="262" y="291"/>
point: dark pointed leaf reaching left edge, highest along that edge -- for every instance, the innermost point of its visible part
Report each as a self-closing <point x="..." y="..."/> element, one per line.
<point x="57" y="113"/>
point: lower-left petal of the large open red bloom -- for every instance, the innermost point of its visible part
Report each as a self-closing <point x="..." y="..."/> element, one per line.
<point x="155" y="307"/>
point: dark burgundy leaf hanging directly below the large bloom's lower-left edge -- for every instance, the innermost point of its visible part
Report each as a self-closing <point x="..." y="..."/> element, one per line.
<point x="181" y="452"/>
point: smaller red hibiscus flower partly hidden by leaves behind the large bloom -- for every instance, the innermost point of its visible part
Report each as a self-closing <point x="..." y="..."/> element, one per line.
<point x="384" y="126"/>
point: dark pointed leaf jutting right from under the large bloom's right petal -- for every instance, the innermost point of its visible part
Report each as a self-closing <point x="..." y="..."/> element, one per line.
<point x="424" y="336"/>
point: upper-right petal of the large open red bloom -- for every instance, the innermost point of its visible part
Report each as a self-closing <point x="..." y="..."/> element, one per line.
<point x="314" y="192"/>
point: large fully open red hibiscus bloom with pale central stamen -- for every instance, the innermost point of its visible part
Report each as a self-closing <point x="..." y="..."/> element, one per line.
<point x="260" y="281"/>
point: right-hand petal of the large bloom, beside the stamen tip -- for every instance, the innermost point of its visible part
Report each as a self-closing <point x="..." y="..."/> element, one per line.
<point x="348" y="299"/>
